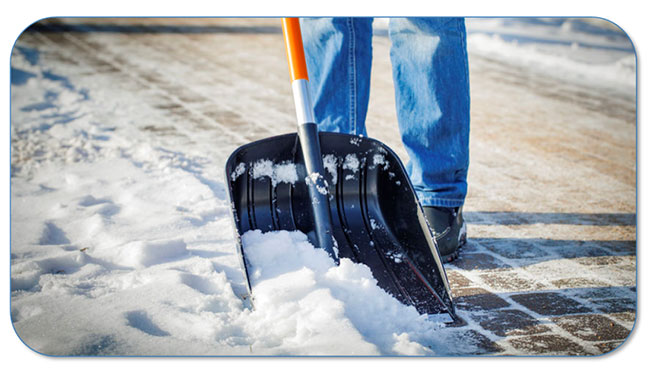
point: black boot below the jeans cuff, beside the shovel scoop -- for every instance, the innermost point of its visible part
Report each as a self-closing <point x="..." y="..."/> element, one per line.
<point x="449" y="229"/>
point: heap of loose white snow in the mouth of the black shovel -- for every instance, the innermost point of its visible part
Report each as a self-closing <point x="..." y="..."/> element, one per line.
<point x="324" y="308"/>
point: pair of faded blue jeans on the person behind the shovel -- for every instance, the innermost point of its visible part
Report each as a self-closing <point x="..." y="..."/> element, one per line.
<point x="430" y="71"/>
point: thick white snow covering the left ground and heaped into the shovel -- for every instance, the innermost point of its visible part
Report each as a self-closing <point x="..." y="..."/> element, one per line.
<point x="121" y="246"/>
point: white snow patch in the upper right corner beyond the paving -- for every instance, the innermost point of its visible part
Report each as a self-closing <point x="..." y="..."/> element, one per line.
<point x="584" y="51"/>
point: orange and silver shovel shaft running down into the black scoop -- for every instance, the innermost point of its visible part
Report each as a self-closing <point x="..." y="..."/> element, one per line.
<point x="308" y="136"/>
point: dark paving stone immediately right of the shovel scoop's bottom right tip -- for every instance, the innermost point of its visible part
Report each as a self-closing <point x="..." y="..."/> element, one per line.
<point x="509" y="322"/>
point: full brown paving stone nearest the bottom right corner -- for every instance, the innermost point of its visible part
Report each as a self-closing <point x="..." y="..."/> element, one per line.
<point x="593" y="328"/>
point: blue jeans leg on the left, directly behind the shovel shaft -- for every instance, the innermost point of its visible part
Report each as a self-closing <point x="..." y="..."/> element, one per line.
<point x="338" y="52"/>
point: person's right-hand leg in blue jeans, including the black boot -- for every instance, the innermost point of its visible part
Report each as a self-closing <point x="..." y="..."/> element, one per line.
<point x="431" y="75"/>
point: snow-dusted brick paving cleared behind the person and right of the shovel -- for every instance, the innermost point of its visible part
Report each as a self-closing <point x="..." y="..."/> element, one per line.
<point x="550" y="266"/>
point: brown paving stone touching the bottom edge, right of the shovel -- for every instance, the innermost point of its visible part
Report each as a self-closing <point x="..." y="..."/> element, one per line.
<point x="548" y="344"/>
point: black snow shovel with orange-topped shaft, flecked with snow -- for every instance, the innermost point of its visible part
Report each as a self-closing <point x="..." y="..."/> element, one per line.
<point x="350" y="195"/>
